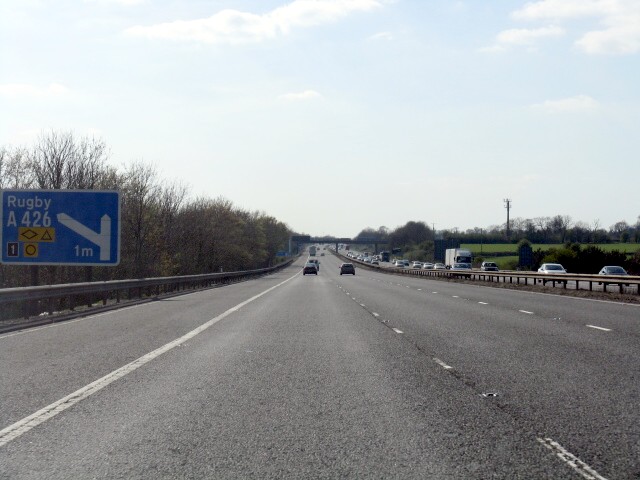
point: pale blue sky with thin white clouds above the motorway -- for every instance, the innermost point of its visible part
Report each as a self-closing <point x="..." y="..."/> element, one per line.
<point x="338" y="115"/>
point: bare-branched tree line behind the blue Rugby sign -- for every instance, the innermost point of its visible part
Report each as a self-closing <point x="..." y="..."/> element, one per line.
<point x="163" y="231"/>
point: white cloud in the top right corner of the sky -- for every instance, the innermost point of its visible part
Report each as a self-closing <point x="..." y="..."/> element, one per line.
<point x="620" y="19"/>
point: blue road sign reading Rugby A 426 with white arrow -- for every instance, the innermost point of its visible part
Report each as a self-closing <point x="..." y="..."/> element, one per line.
<point x="60" y="227"/>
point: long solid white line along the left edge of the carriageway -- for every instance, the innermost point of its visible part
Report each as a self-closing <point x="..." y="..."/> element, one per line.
<point x="23" y="426"/>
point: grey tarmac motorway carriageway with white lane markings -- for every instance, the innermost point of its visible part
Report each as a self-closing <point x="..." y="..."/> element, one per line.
<point x="366" y="376"/>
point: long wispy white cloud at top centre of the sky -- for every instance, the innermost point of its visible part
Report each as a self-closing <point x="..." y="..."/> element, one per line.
<point x="236" y="27"/>
